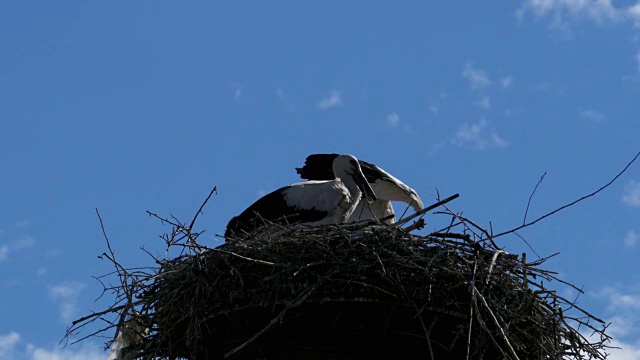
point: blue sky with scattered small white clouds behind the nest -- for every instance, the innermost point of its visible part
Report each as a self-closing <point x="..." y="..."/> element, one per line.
<point x="134" y="106"/>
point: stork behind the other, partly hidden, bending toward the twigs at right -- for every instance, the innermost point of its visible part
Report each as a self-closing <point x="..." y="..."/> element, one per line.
<point x="386" y="187"/>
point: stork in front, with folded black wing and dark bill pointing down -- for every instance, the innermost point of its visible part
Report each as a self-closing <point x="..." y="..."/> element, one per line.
<point x="310" y="202"/>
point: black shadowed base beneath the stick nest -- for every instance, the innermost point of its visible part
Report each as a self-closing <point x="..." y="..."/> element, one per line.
<point x="337" y="330"/>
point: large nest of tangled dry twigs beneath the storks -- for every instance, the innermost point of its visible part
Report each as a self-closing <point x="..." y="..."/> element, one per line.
<point x="358" y="291"/>
